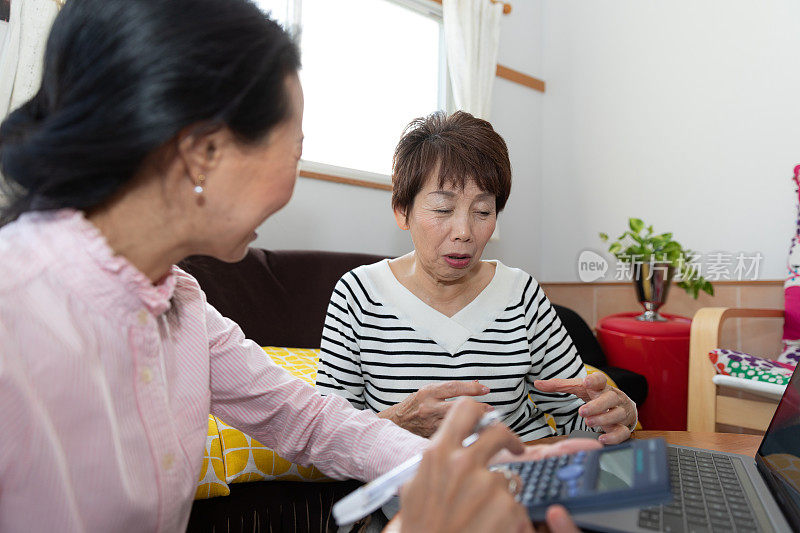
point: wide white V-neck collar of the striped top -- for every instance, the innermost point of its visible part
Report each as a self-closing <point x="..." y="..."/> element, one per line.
<point x="448" y="332"/>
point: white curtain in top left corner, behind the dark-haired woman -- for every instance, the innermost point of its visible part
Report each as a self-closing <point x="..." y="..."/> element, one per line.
<point x="22" y="52"/>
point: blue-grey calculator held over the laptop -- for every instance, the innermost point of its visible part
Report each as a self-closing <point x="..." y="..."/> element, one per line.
<point x="632" y="474"/>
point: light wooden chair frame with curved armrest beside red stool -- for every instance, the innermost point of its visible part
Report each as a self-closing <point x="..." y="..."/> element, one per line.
<point x="707" y="407"/>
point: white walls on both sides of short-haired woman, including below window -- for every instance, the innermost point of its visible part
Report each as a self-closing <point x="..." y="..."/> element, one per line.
<point x="683" y="113"/>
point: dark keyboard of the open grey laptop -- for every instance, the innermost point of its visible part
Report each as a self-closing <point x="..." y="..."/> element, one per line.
<point x="707" y="496"/>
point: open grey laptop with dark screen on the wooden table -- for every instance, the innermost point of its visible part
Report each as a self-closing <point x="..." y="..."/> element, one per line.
<point x="726" y="492"/>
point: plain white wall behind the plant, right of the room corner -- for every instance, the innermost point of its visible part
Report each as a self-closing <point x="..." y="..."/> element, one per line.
<point x="684" y="113"/>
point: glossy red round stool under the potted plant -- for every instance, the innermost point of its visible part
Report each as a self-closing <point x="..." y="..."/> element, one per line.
<point x="660" y="352"/>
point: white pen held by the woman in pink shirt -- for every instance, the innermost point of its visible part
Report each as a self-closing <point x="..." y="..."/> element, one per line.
<point x="374" y="494"/>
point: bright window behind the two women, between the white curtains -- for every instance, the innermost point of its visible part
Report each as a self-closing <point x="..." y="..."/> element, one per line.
<point x="369" y="68"/>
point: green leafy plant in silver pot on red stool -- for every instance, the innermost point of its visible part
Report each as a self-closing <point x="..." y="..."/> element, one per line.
<point x="655" y="258"/>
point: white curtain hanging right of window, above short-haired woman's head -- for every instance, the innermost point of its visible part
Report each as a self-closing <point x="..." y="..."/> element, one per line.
<point x="472" y="39"/>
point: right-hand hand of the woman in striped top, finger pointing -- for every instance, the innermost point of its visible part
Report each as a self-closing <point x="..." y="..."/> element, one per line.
<point x="606" y="406"/>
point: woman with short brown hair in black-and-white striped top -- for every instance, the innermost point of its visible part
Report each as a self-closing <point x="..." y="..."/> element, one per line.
<point x="403" y="336"/>
